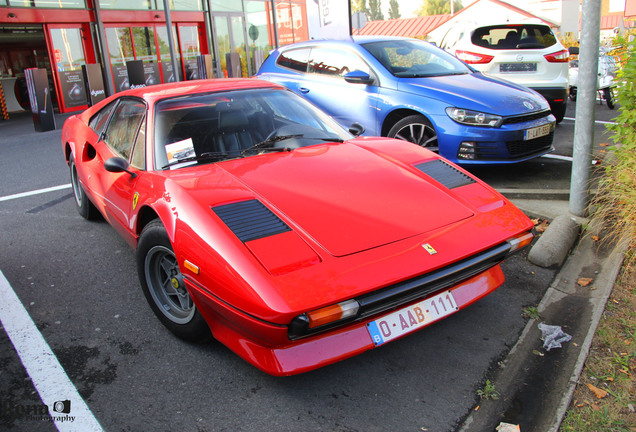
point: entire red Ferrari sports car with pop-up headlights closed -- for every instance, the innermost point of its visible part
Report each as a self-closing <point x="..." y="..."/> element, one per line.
<point x="260" y="221"/>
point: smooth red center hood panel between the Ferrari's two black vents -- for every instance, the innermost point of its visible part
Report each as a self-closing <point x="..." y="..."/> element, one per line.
<point x="347" y="207"/>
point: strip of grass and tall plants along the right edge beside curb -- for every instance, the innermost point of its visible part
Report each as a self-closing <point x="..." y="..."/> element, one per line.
<point x="611" y="362"/>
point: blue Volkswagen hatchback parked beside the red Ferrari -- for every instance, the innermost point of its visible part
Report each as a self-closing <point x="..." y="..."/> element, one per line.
<point x="411" y="90"/>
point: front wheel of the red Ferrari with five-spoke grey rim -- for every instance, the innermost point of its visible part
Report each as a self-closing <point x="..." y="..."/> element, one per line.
<point x="164" y="288"/>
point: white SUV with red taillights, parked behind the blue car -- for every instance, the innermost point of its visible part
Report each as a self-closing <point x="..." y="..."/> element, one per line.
<point x="526" y="53"/>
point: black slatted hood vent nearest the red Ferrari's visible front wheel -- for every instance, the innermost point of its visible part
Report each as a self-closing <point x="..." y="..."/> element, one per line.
<point x="250" y="220"/>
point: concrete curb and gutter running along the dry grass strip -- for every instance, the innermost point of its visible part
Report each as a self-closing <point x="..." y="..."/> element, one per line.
<point x="518" y="366"/>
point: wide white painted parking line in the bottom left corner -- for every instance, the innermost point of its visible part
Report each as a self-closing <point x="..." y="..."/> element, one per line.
<point x="66" y="407"/>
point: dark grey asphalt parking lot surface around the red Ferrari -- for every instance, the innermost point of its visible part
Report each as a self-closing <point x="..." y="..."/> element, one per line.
<point x="77" y="282"/>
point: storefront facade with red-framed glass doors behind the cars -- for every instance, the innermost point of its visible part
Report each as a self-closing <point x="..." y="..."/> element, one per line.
<point x="63" y="35"/>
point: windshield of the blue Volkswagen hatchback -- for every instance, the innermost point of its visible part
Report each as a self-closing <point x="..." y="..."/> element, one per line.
<point x="415" y="59"/>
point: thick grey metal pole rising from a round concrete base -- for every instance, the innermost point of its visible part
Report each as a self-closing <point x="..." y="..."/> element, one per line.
<point x="585" y="107"/>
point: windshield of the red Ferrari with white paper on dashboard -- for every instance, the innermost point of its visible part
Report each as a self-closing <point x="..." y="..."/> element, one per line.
<point x="205" y="128"/>
